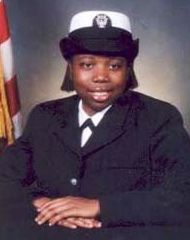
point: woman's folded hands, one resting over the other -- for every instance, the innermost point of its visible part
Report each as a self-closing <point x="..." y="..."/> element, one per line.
<point x="69" y="212"/>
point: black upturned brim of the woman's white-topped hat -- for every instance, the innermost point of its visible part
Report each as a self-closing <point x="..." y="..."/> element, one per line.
<point x="110" y="42"/>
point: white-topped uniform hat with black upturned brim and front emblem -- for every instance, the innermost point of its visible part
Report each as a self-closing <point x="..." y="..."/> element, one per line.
<point x="100" y="32"/>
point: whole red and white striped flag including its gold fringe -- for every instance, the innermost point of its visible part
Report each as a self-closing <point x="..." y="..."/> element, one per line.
<point x="10" y="116"/>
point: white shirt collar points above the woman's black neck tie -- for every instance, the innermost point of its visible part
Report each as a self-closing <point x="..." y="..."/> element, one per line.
<point x="96" y="118"/>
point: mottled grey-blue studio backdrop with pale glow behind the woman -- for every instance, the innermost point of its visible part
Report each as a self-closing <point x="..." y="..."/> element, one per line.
<point x="162" y="67"/>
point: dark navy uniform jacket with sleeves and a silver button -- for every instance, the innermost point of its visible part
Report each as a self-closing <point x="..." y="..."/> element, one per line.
<point x="137" y="163"/>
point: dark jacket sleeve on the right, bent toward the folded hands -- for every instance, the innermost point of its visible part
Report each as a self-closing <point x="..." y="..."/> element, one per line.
<point x="167" y="200"/>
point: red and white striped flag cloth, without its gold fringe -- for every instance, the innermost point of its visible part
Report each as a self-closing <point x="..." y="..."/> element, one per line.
<point x="9" y="76"/>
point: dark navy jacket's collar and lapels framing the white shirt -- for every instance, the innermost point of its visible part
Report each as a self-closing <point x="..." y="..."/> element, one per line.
<point x="114" y="123"/>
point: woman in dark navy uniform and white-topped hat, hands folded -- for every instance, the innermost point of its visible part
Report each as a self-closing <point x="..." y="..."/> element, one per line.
<point x="123" y="174"/>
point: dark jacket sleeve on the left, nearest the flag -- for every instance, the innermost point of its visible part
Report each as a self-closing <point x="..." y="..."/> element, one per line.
<point x="17" y="184"/>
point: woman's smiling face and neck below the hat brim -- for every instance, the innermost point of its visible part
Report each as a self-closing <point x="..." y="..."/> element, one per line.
<point x="98" y="80"/>
